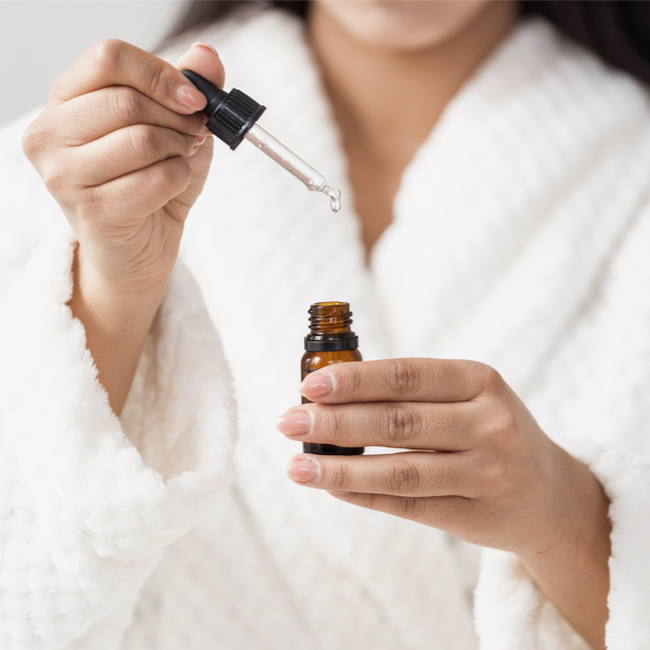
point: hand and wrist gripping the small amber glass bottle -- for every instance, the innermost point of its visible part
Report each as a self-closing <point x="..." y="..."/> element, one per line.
<point x="478" y="466"/>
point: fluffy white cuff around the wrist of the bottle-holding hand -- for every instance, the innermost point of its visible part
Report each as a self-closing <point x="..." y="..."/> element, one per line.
<point x="512" y="613"/>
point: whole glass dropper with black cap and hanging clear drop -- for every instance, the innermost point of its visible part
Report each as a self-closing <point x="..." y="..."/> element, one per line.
<point x="232" y="117"/>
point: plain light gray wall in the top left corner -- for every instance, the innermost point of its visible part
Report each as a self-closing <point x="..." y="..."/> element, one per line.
<point x="41" y="38"/>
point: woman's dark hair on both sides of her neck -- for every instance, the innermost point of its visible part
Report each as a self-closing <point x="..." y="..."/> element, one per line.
<point x="618" y="31"/>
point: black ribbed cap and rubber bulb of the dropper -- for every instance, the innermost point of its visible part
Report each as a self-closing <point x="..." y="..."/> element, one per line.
<point x="230" y="115"/>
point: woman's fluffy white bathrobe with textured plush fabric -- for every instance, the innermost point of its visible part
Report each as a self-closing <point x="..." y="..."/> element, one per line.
<point x="520" y="239"/>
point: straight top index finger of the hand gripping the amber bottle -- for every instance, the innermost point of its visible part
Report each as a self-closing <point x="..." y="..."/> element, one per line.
<point x="398" y="380"/>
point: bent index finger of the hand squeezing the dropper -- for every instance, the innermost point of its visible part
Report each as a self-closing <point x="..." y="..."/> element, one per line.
<point x="115" y="63"/>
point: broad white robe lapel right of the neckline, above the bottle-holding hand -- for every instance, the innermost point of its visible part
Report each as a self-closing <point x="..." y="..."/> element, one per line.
<point x="511" y="207"/>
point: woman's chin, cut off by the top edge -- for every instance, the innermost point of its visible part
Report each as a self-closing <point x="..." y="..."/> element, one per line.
<point x="406" y="25"/>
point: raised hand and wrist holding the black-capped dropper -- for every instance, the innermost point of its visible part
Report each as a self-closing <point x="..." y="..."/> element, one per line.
<point x="122" y="149"/>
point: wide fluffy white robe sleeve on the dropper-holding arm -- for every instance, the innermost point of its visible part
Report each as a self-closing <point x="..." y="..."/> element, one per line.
<point x="88" y="503"/>
